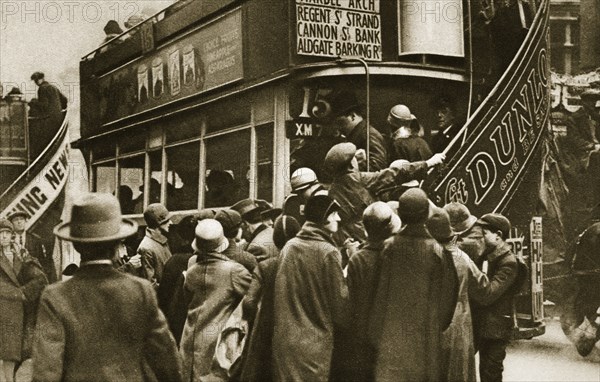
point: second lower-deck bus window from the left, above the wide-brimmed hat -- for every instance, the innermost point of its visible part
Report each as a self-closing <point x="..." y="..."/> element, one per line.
<point x="132" y="176"/>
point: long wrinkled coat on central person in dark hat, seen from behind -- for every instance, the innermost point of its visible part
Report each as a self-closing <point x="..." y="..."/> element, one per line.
<point x="310" y="303"/>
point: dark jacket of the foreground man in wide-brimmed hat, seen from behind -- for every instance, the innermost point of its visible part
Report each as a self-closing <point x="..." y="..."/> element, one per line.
<point x="103" y="325"/>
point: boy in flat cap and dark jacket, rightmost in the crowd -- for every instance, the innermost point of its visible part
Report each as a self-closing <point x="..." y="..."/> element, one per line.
<point x="492" y="313"/>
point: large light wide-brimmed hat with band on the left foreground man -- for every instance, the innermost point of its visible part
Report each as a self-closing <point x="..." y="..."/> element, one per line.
<point x="95" y="218"/>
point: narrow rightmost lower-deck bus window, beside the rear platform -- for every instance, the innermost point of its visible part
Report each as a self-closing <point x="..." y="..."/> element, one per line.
<point x="264" y="153"/>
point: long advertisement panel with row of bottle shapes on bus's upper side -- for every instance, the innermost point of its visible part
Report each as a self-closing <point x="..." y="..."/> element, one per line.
<point x="200" y="61"/>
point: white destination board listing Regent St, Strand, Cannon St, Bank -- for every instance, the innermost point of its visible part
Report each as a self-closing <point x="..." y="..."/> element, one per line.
<point x="338" y="28"/>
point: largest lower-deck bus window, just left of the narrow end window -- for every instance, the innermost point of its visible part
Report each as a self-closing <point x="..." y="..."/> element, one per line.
<point x="227" y="169"/>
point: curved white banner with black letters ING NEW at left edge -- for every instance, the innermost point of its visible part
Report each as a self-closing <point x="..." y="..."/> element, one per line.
<point x="37" y="196"/>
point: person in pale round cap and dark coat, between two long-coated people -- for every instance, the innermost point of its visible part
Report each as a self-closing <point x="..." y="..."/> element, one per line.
<point x="380" y="222"/>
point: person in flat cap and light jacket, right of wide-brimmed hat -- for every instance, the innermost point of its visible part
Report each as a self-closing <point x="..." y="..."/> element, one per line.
<point x="154" y="248"/>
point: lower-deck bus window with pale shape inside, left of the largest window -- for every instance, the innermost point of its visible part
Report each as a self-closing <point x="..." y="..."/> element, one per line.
<point x="182" y="176"/>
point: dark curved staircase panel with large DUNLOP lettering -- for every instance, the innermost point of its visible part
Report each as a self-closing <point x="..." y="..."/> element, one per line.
<point x="503" y="134"/>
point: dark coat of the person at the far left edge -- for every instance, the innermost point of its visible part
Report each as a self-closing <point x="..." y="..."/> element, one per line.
<point x="20" y="287"/>
